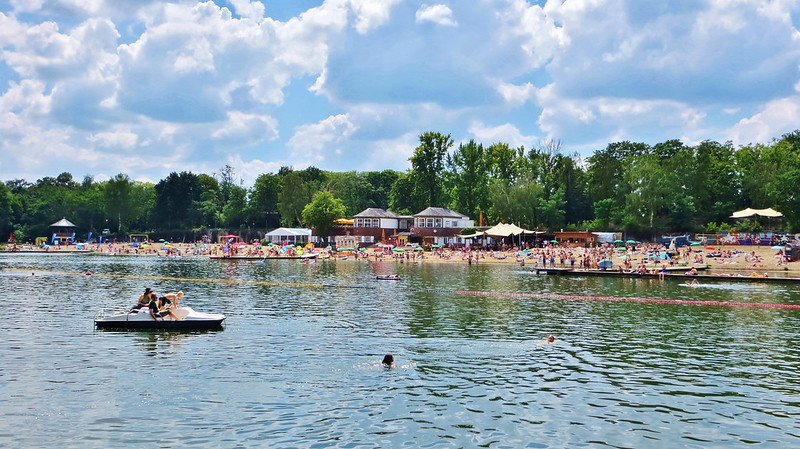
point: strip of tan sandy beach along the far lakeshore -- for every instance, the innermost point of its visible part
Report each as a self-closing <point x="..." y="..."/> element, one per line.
<point x="741" y="260"/>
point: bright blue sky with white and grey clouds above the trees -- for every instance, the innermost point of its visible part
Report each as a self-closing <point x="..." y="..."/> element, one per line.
<point x="147" y="87"/>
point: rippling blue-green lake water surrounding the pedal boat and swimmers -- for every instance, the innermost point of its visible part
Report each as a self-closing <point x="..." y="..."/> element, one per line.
<point x="299" y="365"/>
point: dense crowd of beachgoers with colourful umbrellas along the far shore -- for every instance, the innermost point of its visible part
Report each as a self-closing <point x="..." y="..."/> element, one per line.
<point x="639" y="258"/>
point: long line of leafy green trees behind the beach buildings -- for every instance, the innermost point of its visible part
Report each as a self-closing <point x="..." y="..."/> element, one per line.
<point x="635" y="187"/>
